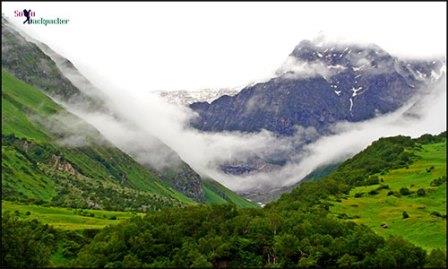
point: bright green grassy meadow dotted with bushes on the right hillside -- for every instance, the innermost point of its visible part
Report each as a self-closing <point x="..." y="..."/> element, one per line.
<point x="420" y="228"/>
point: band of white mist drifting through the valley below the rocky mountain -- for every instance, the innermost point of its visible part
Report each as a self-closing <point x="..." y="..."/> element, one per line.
<point x="145" y="119"/>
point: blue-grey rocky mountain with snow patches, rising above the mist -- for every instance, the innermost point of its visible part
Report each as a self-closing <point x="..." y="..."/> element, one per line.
<point x="319" y="85"/>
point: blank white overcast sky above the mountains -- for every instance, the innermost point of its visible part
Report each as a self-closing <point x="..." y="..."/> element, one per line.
<point x="172" y="46"/>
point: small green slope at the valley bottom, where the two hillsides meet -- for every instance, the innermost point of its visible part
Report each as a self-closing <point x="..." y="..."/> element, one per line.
<point x="216" y="193"/>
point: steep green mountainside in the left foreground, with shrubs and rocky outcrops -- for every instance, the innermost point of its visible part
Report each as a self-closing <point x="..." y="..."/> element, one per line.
<point x="43" y="162"/>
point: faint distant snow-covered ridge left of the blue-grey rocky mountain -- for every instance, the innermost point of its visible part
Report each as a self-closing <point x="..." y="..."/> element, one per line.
<point x="189" y="97"/>
